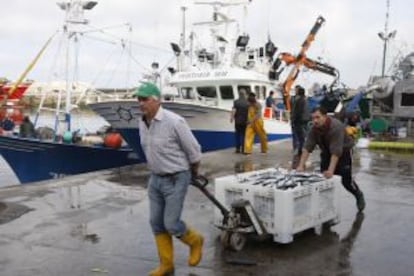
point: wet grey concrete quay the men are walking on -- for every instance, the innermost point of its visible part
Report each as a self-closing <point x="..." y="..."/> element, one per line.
<point x="97" y="224"/>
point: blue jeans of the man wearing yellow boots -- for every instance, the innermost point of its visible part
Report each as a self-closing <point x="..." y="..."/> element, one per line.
<point x="166" y="198"/>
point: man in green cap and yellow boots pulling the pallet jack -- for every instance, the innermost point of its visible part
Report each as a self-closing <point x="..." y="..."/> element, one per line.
<point x="173" y="157"/>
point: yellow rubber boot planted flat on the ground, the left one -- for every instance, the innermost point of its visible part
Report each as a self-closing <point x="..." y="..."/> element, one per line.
<point x="166" y="255"/>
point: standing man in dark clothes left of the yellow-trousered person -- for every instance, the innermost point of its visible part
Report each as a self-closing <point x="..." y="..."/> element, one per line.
<point x="239" y="116"/>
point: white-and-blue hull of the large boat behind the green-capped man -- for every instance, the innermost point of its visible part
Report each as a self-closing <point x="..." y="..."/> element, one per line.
<point x="210" y="125"/>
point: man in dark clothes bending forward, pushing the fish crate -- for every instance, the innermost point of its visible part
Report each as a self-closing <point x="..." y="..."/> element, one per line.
<point x="329" y="134"/>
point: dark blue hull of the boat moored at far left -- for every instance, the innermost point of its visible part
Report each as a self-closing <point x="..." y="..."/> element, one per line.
<point x="33" y="160"/>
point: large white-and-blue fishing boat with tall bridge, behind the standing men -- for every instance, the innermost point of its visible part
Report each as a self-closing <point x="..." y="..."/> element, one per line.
<point x="206" y="81"/>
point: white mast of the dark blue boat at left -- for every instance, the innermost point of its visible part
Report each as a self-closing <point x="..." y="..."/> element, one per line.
<point x="74" y="17"/>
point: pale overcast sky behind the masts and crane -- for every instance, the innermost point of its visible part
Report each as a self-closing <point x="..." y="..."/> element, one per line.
<point x="348" y="40"/>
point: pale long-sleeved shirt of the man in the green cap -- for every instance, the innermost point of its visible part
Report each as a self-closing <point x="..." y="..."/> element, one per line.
<point x="168" y="143"/>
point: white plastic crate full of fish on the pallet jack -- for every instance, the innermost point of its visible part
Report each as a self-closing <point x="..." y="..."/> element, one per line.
<point x="283" y="212"/>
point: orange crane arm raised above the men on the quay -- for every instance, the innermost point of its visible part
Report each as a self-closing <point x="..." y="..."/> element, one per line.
<point x="300" y="60"/>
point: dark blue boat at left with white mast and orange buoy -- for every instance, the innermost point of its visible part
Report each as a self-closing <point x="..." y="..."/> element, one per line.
<point x="57" y="151"/>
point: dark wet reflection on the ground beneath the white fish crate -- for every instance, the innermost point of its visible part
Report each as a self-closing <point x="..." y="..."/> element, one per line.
<point x="260" y="256"/>
